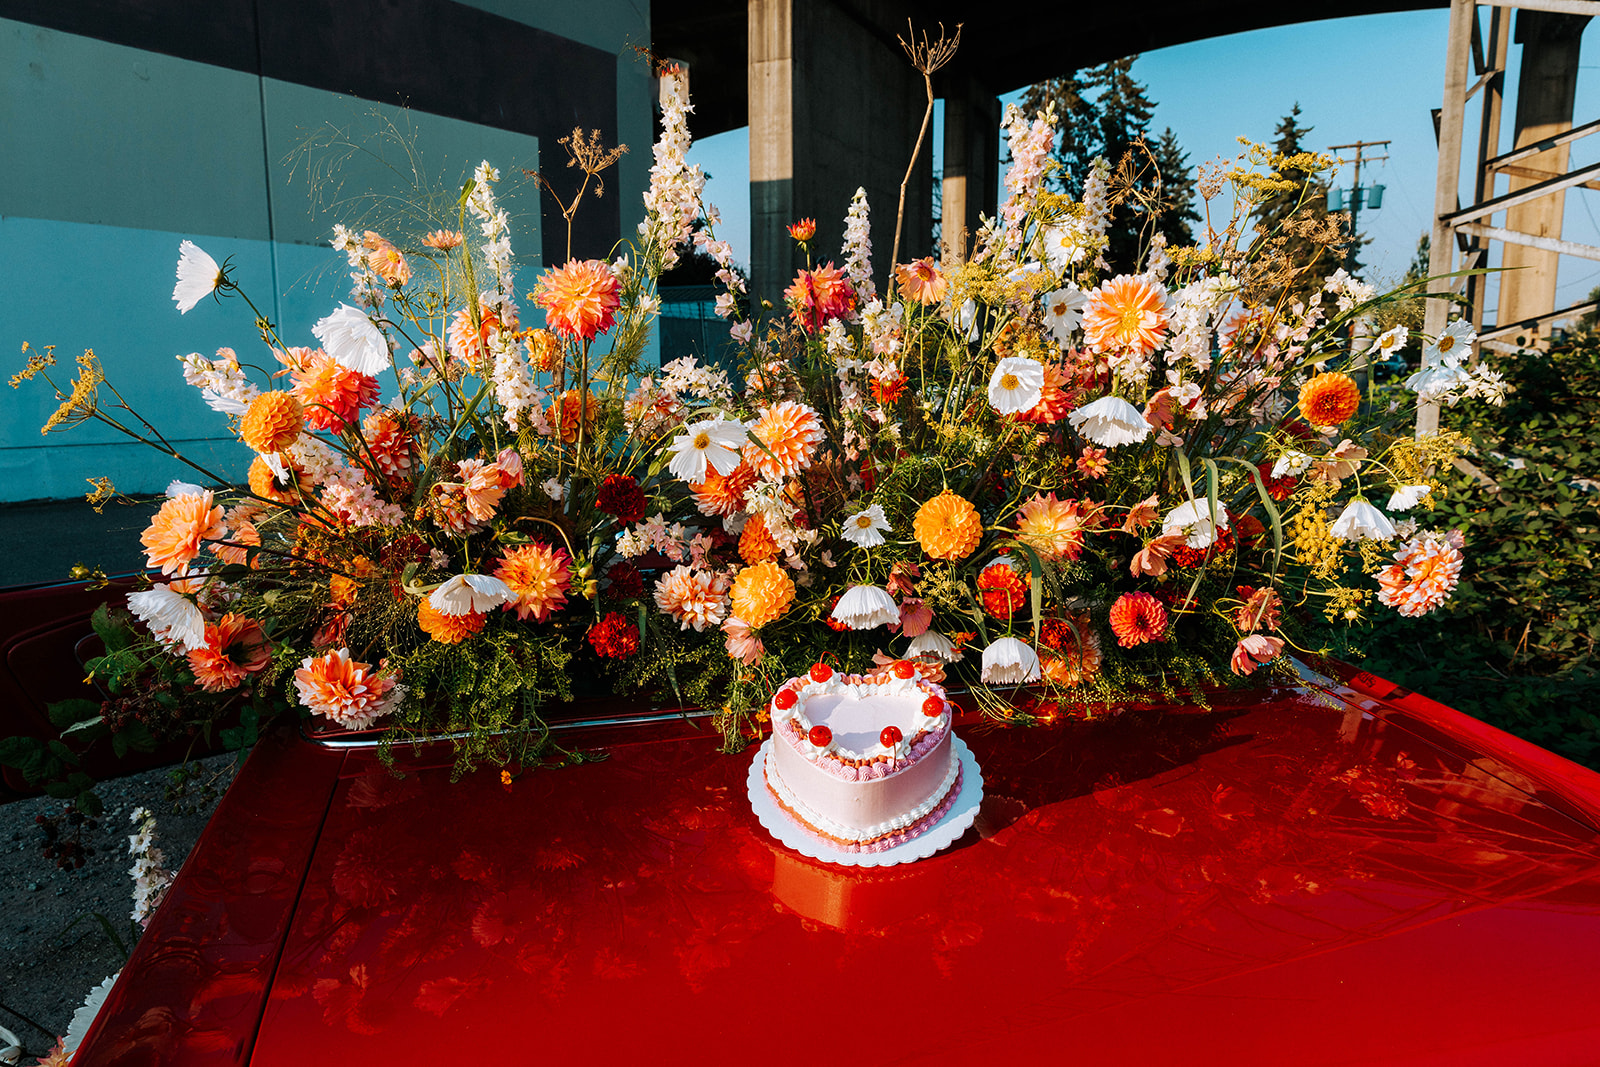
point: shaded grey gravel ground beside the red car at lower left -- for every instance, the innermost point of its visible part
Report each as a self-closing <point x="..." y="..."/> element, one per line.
<point x="54" y="949"/>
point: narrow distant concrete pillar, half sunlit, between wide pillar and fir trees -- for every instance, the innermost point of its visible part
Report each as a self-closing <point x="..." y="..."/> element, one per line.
<point x="972" y="164"/>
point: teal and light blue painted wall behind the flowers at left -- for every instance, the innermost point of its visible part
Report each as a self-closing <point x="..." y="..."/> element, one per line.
<point x="116" y="154"/>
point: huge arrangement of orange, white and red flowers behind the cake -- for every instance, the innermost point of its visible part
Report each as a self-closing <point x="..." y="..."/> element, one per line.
<point x="1006" y="466"/>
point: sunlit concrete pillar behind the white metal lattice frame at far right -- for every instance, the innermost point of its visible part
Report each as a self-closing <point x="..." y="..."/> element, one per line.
<point x="1545" y="108"/>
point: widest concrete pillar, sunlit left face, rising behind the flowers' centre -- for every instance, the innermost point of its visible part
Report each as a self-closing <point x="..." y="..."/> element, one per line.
<point x="834" y="106"/>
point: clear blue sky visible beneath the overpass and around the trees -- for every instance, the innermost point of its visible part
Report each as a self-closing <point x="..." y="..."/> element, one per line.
<point x="1364" y="79"/>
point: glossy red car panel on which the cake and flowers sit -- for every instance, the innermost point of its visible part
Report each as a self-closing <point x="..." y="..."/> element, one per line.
<point x="1305" y="876"/>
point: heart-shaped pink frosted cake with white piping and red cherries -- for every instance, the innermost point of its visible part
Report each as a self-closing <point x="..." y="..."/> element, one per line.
<point x="863" y="762"/>
